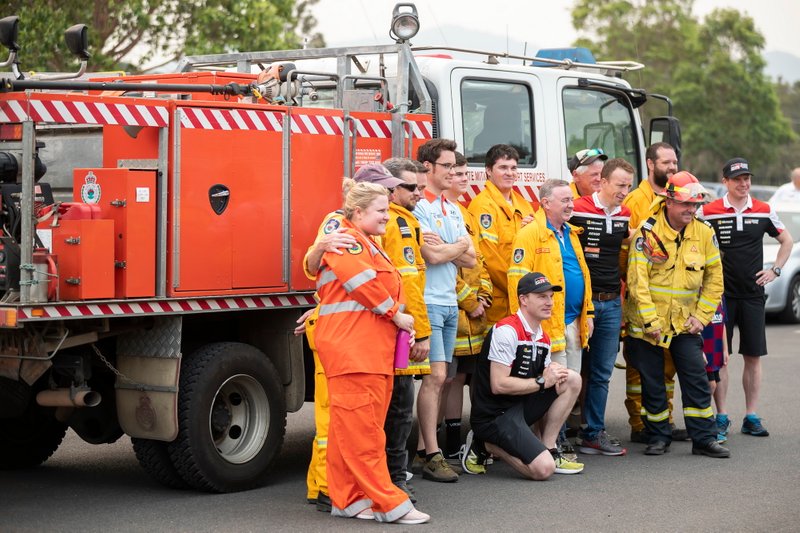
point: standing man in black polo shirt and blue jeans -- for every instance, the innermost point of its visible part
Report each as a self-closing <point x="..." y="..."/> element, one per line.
<point x="604" y="221"/>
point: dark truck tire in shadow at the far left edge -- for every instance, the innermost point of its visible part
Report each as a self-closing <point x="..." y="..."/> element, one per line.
<point x="30" y="439"/>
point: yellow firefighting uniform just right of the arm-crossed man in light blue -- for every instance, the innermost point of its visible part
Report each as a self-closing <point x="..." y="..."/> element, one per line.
<point x="470" y="284"/>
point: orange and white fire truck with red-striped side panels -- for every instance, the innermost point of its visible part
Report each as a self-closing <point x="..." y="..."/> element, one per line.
<point x="154" y="226"/>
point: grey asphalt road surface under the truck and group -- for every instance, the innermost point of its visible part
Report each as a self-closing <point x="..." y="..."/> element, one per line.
<point x="101" y="488"/>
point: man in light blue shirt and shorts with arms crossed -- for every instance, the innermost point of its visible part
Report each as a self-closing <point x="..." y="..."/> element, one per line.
<point x="446" y="247"/>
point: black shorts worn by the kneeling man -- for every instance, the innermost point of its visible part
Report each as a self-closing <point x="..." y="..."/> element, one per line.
<point x="512" y="432"/>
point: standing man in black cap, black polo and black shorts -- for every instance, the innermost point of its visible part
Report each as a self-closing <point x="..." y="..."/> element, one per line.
<point x="740" y="222"/>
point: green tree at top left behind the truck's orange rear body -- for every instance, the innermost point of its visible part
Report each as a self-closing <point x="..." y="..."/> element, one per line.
<point x="121" y="32"/>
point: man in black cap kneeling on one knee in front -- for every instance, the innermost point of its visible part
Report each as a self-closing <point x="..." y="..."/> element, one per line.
<point x="515" y="386"/>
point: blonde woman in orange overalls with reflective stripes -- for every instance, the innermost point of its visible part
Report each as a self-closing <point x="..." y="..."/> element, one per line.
<point x="360" y="313"/>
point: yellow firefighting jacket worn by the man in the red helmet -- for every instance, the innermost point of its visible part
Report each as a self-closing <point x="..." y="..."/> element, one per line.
<point x="663" y="296"/>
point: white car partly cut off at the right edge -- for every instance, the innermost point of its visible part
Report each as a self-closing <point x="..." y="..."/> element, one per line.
<point x="783" y="294"/>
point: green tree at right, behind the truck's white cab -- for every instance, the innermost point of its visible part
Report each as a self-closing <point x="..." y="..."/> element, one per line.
<point x="712" y="69"/>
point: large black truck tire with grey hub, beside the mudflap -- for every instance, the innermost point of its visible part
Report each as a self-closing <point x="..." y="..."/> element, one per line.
<point x="231" y="418"/>
